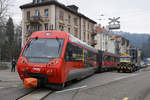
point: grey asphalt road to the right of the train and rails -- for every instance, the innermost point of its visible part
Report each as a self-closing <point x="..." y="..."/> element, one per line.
<point x="108" y="86"/>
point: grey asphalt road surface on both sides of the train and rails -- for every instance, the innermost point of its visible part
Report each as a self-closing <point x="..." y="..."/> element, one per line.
<point x="103" y="86"/>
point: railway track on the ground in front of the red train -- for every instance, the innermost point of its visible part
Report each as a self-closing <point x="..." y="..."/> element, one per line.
<point x="38" y="94"/>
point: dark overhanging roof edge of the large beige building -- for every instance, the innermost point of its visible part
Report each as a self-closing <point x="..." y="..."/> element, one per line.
<point x="31" y="5"/>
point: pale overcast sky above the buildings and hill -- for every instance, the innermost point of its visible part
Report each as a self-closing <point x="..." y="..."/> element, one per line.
<point x="134" y="14"/>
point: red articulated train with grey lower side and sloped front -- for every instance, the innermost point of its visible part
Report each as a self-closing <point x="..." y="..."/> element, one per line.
<point x="54" y="58"/>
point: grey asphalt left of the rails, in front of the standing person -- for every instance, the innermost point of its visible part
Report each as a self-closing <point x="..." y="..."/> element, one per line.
<point x="11" y="87"/>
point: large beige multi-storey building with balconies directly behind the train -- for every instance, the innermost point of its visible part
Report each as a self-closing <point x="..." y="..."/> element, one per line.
<point x="42" y="15"/>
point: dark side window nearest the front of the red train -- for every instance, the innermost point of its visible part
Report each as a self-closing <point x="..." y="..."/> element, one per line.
<point x="73" y="53"/>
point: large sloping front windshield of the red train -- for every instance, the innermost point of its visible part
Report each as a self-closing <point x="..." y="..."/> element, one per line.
<point x="43" y="50"/>
